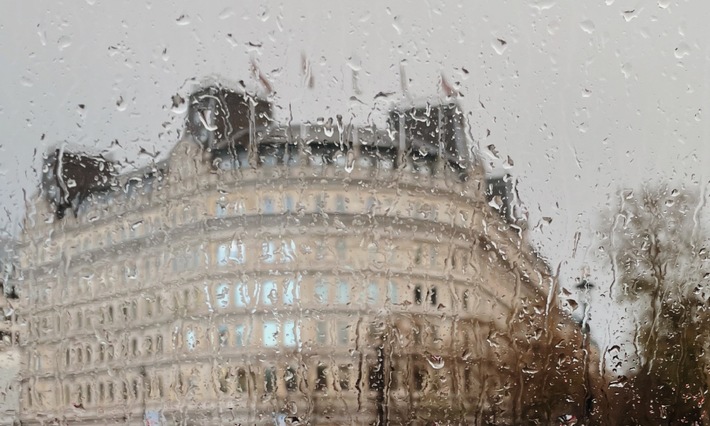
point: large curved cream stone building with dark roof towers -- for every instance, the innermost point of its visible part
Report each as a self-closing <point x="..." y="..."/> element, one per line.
<point x="265" y="273"/>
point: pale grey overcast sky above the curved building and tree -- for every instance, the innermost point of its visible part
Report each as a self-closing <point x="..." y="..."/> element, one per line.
<point x="584" y="97"/>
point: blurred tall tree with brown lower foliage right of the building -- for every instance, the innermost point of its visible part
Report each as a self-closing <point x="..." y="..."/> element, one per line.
<point x="657" y="247"/>
